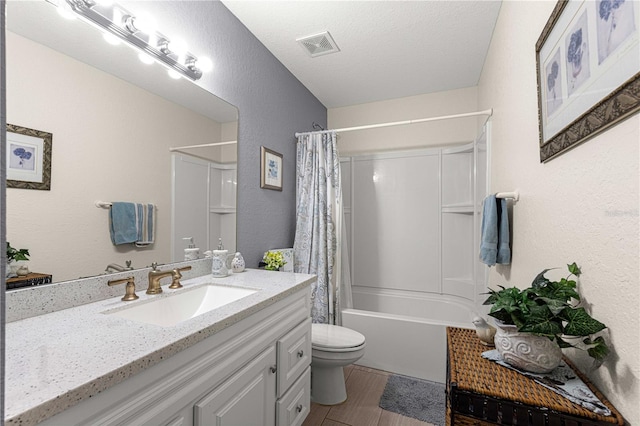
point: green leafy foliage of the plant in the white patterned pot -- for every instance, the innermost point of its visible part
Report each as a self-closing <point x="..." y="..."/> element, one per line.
<point x="550" y="309"/>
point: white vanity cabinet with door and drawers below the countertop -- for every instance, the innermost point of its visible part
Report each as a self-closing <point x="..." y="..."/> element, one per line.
<point x="254" y="372"/>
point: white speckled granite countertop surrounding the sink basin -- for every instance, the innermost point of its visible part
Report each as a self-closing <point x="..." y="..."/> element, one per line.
<point x="56" y="360"/>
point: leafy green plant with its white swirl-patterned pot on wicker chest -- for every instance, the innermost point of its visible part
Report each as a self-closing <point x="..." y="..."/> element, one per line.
<point x="533" y="324"/>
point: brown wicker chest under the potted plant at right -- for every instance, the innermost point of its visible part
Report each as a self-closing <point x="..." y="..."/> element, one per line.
<point x="481" y="392"/>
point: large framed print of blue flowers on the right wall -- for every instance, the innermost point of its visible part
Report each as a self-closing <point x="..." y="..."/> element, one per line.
<point x="588" y="68"/>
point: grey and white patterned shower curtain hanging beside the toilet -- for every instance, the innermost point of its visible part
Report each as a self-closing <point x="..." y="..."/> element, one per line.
<point x="319" y="239"/>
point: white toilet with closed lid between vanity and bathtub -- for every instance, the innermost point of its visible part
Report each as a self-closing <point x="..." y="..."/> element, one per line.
<point x="333" y="347"/>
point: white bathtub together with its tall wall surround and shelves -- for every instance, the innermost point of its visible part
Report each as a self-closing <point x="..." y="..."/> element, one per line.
<point x="413" y="219"/>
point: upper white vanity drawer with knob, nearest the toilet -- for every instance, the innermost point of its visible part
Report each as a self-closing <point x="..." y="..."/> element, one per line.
<point x="294" y="355"/>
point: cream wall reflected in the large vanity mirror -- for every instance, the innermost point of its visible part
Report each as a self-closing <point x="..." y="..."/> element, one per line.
<point x="110" y="143"/>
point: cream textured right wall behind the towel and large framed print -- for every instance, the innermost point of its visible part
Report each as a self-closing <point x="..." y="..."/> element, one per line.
<point x="581" y="206"/>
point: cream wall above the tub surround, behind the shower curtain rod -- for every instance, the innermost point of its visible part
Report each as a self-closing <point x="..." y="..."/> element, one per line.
<point x="411" y="136"/>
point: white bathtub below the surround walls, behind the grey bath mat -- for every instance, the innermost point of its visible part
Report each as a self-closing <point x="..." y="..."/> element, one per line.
<point x="405" y="332"/>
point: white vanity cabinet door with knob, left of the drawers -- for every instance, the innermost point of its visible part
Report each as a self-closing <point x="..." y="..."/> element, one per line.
<point x="245" y="399"/>
